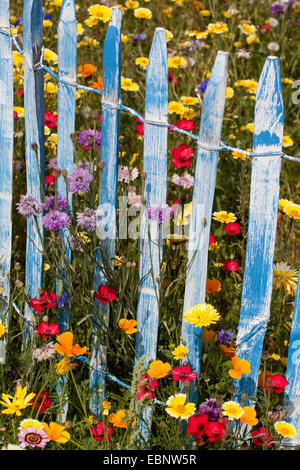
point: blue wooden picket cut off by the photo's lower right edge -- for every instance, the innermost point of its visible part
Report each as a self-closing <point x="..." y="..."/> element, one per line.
<point x="292" y="391"/>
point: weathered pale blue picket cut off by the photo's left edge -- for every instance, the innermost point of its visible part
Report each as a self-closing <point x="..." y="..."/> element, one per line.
<point x="6" y="153"/>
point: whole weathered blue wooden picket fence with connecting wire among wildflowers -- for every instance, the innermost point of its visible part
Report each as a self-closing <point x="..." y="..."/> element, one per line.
<point x="266" y="158"/>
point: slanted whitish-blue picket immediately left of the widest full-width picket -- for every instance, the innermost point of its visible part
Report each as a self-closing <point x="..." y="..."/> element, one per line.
<point x="203" y="195"/>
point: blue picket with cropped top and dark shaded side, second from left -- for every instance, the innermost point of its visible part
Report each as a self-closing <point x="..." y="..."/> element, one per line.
<point x="34" y="133"/>
